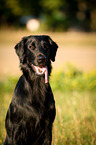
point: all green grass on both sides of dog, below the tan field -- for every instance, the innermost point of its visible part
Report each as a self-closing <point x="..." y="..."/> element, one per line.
<point x="75" y="96"/>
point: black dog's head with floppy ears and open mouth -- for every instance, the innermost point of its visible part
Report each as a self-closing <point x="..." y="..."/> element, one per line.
<point x="36" y="51"/>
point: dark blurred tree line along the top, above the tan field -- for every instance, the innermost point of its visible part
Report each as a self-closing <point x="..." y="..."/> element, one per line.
<point x="55" y="14"/>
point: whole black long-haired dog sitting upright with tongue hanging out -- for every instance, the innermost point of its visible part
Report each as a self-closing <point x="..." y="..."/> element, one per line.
<point x="32" y="110"/>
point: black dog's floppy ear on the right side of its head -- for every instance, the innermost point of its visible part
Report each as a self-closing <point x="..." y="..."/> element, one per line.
<point x="54" y="47"/>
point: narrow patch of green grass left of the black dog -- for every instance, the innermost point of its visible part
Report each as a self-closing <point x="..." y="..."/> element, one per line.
<point x="6" y="90"/>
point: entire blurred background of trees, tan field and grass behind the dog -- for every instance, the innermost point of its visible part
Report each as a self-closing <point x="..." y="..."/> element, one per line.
<point x="72" y="25"/>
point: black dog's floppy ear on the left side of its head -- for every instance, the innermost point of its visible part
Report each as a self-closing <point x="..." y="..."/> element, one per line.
<point x="20" y="48"/>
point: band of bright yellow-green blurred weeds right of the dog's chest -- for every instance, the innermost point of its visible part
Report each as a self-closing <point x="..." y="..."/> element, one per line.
<point x="73" y="79"/>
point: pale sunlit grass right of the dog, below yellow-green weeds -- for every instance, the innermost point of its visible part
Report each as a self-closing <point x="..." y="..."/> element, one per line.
<point x="75" y="122"/>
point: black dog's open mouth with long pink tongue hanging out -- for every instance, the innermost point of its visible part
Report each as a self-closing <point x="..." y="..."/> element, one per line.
<point x="40" y="71"/>
